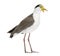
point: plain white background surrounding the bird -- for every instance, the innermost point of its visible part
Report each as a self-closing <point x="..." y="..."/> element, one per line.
<point x="45" y="40"/>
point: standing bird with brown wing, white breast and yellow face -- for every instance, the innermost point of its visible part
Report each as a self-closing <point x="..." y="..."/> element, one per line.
<point x="28" y="24"/>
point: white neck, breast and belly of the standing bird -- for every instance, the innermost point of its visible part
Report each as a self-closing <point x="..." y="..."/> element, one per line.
<point x="36" y="16"/>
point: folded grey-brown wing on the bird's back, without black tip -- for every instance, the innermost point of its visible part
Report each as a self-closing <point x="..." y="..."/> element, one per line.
<point x="27" y="22"/>
